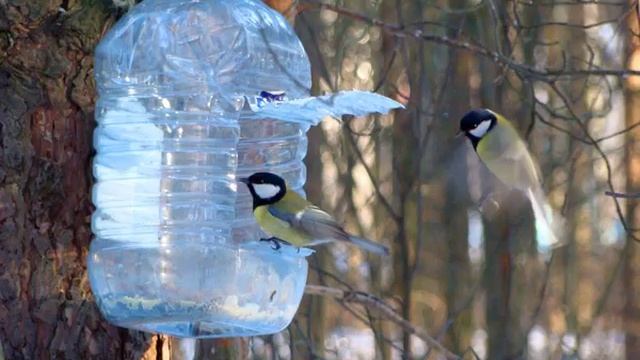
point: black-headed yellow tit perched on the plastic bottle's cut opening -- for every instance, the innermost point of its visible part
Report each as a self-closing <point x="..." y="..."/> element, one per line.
<point x="288" y="217"/>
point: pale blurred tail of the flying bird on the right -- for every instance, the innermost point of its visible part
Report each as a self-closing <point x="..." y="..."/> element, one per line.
<point x="549" y="225"/>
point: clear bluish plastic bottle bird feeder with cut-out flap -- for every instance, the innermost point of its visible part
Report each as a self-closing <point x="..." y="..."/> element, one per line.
<point x="192" y="95"/>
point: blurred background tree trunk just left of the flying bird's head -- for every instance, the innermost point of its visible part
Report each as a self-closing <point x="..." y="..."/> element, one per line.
<point x="459" y="279"/>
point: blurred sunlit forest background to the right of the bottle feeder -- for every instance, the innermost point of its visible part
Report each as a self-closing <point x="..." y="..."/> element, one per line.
<point x="556" y="68"/>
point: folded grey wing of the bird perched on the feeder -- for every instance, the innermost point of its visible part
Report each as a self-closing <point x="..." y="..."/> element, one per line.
<point x="313" y="221"/>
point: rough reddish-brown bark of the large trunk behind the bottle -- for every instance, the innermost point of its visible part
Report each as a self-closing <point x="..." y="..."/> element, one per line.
<point x="47" y="99"/>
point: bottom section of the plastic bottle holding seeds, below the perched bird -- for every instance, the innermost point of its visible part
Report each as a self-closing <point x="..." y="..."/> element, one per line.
<point x="195" y="289"/>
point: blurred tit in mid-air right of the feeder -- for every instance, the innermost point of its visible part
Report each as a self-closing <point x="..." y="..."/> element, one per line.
<point x="502" y="150"/>
